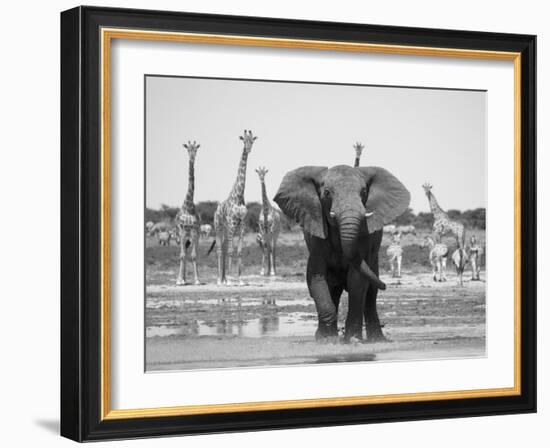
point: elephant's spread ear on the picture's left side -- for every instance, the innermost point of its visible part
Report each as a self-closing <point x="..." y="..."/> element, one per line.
<point x="298" y="198"/>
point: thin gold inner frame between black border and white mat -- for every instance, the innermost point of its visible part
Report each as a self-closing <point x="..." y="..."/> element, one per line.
<point x="107" y="35"/>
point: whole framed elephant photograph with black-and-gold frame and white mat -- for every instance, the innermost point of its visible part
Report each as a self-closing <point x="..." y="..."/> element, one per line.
<point x="272" y="223"/>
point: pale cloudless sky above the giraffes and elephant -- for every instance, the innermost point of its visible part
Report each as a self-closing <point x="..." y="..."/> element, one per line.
<point x="419" y="135"/>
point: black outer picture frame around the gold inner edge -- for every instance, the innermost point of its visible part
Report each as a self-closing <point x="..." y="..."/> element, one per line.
<point x="81" y="224"/>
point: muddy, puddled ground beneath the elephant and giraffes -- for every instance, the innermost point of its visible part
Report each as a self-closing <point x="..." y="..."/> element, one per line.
<point x="273" y="321"/>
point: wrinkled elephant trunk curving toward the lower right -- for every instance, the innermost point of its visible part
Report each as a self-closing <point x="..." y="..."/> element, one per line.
<point x="349" y="226"/>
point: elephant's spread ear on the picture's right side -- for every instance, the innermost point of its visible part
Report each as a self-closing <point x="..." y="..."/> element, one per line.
<point x="387" y="197"/>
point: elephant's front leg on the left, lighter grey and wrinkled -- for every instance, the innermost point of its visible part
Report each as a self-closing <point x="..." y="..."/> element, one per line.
<point x="327" y="314"/>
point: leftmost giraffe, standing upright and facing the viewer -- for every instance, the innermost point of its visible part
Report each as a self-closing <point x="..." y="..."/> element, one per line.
<point x="188" y="222"/>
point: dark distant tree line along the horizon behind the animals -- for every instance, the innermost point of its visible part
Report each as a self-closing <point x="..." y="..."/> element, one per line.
<point x="474" y="219"/>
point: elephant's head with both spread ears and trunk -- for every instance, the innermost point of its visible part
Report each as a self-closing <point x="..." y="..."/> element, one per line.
<point x="354" y="200"/>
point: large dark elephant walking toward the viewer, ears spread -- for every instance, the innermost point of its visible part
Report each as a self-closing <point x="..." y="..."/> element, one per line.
<point x="342" y="211"/>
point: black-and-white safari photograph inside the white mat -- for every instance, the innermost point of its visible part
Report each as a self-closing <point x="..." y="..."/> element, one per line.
<point x="295" y="223"/>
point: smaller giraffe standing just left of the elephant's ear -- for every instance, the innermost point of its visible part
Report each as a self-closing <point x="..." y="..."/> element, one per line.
<point x="270" y="226"/>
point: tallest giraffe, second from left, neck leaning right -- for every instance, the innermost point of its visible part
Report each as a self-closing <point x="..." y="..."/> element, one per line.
<point x="229" y="218"/>
